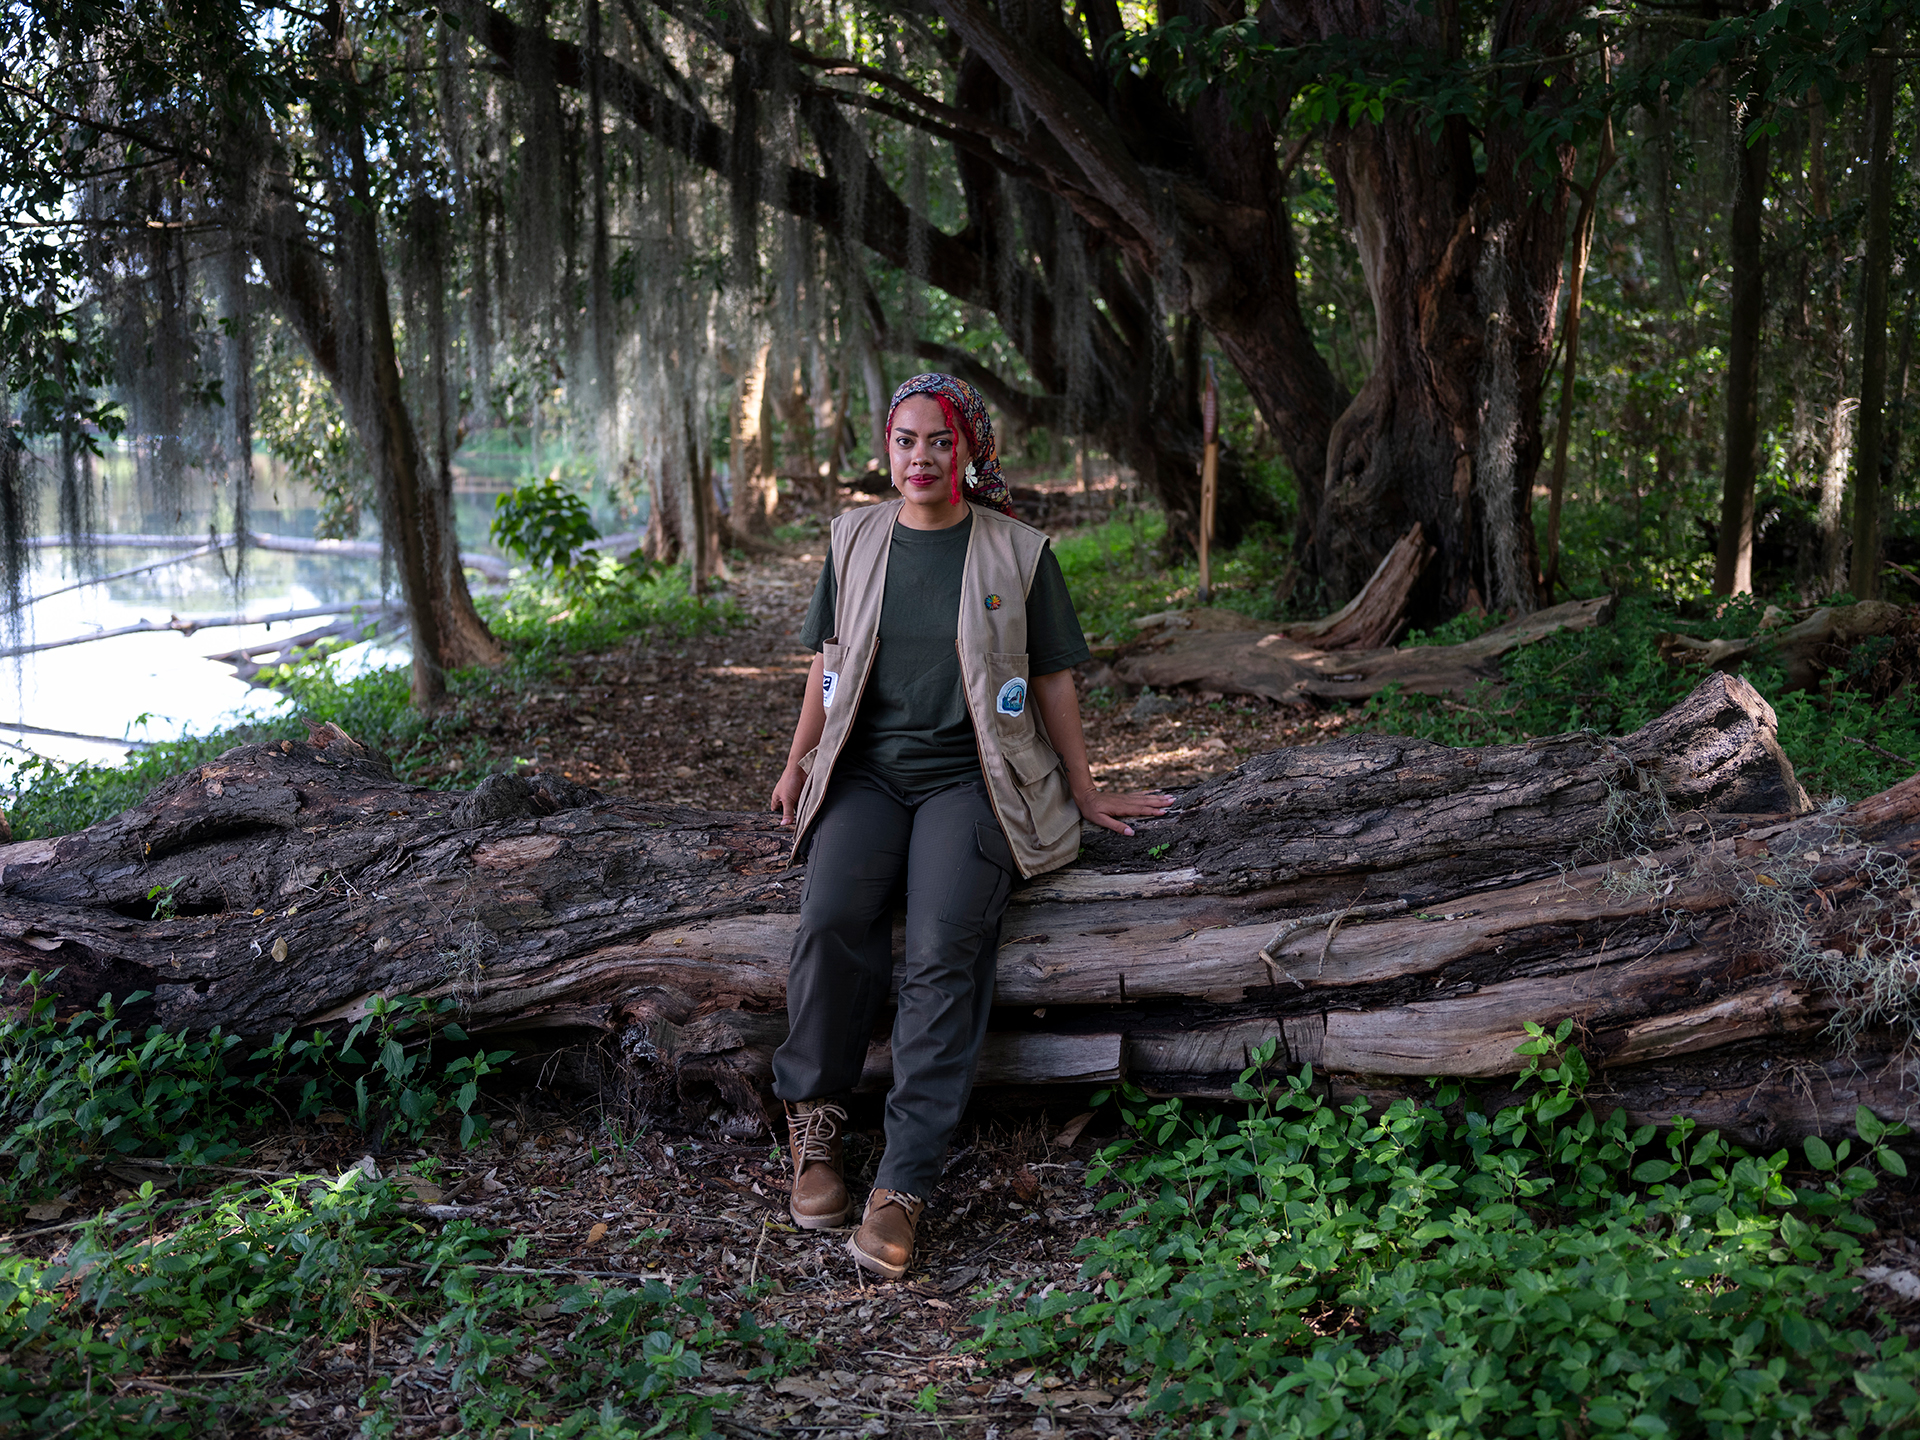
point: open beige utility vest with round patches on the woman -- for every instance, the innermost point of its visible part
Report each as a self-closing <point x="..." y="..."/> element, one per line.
<point x="1024" y="775"/>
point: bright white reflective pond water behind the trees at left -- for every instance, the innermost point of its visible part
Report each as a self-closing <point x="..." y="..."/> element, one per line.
<point x="160" y="686"/>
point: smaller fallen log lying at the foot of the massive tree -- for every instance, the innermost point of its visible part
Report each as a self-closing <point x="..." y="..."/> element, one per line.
<point x="1218" y="650"/>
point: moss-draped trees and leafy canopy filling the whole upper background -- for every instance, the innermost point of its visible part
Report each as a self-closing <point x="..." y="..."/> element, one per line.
<point x="358" y="235"/>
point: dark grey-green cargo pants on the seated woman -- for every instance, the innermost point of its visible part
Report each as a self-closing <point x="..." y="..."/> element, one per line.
<point x="957" y="867"/>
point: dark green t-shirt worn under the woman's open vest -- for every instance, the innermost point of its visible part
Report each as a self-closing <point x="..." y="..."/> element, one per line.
<point x="913" y="727"/>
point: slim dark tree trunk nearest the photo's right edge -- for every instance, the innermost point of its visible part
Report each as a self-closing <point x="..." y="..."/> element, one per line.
<point x="1867" y="456"/>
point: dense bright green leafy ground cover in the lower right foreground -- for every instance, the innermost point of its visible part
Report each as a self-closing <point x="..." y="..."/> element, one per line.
<point x="1428" y="1270"/>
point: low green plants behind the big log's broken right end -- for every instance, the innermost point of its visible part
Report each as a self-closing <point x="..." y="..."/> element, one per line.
<point x="1612" y="679"/>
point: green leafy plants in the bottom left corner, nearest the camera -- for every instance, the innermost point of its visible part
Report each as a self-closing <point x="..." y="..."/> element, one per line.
<point x="243" y="1287"/>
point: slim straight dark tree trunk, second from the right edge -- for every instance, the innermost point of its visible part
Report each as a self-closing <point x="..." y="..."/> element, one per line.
<point x="1746" y="316"/>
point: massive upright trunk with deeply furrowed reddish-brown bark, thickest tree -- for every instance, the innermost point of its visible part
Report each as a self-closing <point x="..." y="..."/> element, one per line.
<point x="1464" y="270"/>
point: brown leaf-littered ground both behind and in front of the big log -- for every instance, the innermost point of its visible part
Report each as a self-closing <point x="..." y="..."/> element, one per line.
<point x="575" y="1201"/>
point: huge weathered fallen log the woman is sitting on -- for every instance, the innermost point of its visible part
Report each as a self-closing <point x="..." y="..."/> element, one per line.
<point x="1383" y="907"/>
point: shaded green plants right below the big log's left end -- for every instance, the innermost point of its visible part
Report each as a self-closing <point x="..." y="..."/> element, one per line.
<point x="84" y="1090"/>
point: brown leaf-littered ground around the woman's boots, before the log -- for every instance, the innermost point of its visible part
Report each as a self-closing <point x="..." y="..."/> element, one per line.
<point x="581" y="1205"/>
